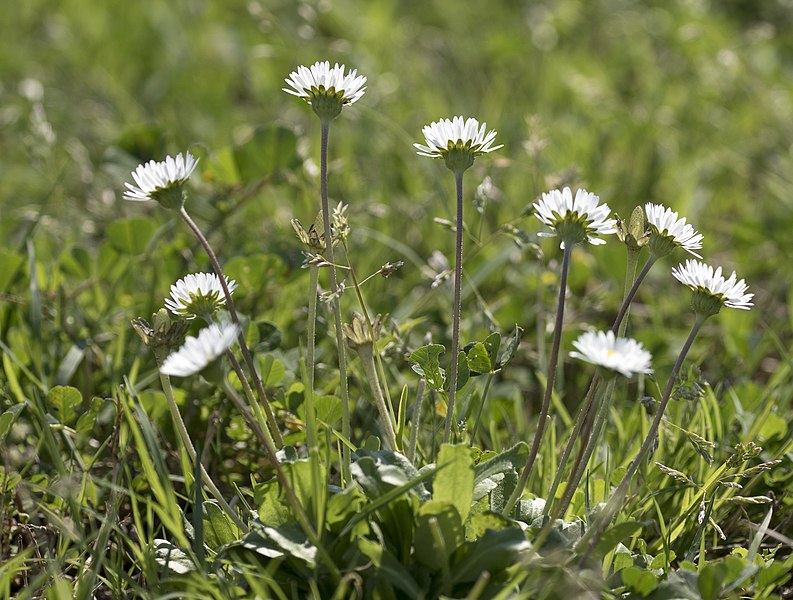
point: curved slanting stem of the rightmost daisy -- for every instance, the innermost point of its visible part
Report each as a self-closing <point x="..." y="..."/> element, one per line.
<point x="609" y="511"/>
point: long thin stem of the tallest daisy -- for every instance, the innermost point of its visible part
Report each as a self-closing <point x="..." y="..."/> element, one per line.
<point x="345" y="403"/>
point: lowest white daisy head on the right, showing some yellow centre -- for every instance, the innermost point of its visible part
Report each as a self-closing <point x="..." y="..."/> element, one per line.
<point x="623" y="355"/>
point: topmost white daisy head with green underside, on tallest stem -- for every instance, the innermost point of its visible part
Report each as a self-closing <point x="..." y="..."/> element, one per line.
<point x="327" y="89"/>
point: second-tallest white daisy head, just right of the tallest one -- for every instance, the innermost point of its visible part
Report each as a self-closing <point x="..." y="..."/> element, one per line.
<point x="457" y="141"/>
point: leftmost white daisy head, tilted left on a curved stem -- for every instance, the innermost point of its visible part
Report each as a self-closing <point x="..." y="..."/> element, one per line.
<point x="162" y="181"/>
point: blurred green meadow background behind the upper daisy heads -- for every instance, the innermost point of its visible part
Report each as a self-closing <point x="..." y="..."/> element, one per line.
<point x="683" y="102"/>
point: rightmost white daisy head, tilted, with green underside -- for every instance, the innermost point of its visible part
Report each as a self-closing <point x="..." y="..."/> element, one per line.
<point x="711" y="289"/>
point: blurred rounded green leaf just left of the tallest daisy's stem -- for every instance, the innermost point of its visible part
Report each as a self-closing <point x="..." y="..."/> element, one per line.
<point x="269" y="150"/>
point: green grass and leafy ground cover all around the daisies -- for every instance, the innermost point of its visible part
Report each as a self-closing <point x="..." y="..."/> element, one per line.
<point x="683" y="103"/>
